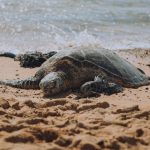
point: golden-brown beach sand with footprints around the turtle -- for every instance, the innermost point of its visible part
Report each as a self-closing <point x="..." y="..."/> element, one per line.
<point x="29" y="121"/>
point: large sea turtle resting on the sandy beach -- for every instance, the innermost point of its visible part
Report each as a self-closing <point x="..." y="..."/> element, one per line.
<point x="77" y="67"/>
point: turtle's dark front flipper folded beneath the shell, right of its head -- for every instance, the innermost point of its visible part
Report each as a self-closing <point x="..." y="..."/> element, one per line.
<point x="99" y="85"/>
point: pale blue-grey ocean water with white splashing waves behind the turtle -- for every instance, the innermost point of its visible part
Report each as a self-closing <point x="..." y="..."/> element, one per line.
<point x="45" y="25"/>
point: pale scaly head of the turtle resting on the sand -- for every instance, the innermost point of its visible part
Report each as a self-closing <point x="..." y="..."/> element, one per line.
<point x="53" y="83"/>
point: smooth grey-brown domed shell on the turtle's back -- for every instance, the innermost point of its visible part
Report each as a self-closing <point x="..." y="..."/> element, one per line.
<point x="107" y="60"/>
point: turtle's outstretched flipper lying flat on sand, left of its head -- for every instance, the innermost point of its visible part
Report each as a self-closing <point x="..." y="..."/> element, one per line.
<point x="29" y="83"/>
